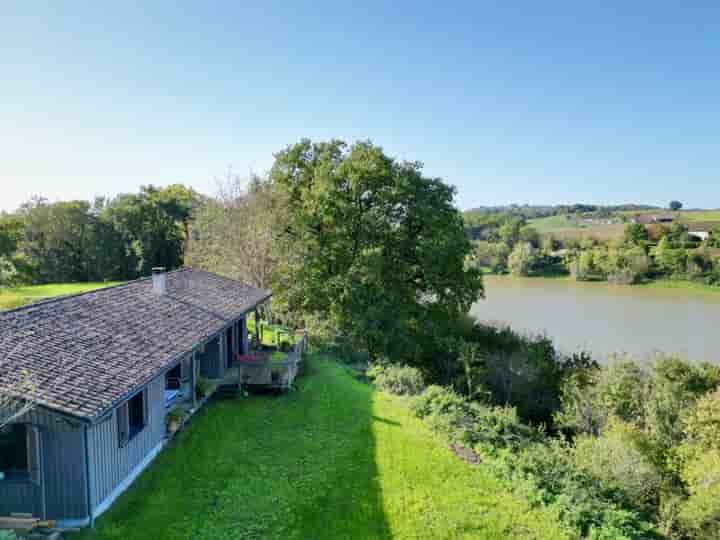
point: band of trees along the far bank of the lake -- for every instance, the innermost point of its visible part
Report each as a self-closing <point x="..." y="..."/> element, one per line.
<point x="506" y="243"/>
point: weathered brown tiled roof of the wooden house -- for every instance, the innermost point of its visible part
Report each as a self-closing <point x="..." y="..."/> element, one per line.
<point x="86" y="352"/>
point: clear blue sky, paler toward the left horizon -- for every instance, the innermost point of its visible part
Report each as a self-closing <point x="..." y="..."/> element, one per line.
<point x="528" y="102"/>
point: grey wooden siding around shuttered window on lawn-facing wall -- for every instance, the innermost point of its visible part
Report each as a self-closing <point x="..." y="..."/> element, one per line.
<point x="110" y="465"/>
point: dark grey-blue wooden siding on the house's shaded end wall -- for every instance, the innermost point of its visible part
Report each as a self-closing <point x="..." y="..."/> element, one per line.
<point x="63" y="471"/>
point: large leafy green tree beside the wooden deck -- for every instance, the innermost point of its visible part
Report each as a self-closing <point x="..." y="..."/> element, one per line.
<point x="371" y="245"/>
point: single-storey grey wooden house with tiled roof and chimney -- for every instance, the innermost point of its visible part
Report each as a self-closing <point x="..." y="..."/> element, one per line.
<point x="108" y="366"/>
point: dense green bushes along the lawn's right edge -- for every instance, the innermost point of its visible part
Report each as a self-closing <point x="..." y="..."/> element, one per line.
<point x="631" y="451"/>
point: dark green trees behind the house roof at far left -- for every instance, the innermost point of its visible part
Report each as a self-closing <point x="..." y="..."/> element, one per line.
<point x="109" y="239"/>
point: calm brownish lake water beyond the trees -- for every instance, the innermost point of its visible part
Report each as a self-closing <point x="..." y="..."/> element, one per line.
<point x="606" y="319"/>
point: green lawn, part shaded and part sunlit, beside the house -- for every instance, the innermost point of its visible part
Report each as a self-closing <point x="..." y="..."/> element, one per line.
<point x="330" y="460"/>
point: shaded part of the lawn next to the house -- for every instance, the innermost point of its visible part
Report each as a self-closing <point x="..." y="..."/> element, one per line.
<point x="298" y="466"/>
